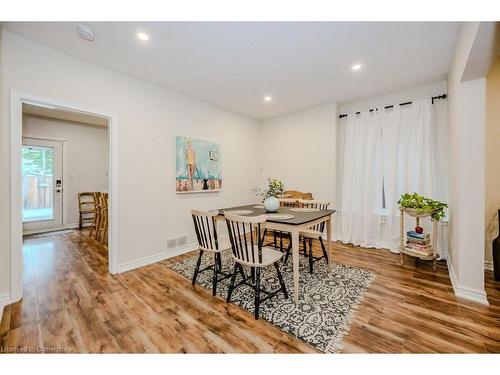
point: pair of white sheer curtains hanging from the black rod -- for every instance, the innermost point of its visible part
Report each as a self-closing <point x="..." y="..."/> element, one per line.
<point x="406" y="148"/>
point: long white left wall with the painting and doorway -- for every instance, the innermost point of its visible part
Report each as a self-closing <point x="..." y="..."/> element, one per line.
<point x="147" y="120"/>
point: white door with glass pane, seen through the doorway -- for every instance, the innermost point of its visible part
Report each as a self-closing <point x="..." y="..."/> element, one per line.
<point x="42" y="185"/>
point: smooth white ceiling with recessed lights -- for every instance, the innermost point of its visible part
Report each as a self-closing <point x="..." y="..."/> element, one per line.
<point x="233" y="65"/>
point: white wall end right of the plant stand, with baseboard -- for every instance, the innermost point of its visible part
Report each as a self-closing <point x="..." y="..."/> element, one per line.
<point x="466" y="118"/>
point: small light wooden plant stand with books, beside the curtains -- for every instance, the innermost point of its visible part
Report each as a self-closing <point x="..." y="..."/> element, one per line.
<point x="408" y="251"/>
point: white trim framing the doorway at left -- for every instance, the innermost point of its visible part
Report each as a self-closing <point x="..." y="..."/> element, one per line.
<point x="16" y="234"/>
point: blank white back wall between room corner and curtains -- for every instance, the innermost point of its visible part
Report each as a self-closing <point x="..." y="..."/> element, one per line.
<point x="299" y="149"/>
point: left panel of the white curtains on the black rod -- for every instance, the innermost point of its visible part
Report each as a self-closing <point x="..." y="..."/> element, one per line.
<point x="362" y="180"/>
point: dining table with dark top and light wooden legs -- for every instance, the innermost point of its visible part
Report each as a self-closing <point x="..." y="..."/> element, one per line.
<point x="300" y="220"/>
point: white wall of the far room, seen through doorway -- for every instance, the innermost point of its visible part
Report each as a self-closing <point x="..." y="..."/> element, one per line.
<point x="87" y="157"/>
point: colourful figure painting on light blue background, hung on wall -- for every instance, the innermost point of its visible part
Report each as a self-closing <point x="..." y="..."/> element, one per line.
<point x="198" y="166"/>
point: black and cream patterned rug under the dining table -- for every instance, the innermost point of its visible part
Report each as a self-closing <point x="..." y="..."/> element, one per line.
<point x="328" y="301"/>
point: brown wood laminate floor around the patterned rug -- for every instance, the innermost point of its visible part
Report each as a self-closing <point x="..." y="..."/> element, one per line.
<point x="72" y="304"/>
